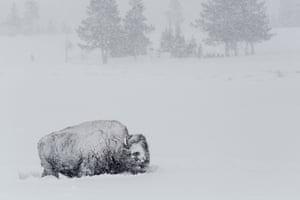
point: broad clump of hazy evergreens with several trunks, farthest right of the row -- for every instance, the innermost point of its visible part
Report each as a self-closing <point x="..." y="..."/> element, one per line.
<point x="233" y="21"/>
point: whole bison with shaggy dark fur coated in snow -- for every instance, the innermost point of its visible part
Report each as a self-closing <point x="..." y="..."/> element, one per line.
<point x="93" y="148"/>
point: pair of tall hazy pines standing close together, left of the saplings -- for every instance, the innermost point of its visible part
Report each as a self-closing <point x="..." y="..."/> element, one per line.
<point x="105" y="30"/>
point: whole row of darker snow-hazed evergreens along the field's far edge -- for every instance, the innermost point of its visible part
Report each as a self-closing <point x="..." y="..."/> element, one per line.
<point x="230" y="23"/>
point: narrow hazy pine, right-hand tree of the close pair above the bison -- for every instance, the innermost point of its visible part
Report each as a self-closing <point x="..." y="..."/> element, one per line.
<point x="136" y="29"/>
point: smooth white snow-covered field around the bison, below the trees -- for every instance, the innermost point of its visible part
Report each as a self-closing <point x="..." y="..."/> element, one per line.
<point x="218" y="129"/>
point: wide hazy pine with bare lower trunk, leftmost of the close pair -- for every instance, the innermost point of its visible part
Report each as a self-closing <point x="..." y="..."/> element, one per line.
<point x="101" y="28"/>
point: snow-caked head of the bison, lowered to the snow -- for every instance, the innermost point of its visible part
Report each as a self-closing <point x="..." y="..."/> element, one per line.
<point x="137" y="157"/>
